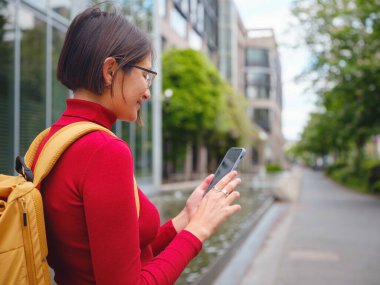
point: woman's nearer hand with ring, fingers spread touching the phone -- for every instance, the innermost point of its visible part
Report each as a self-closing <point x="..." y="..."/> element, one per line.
<point x="215" y="207"/>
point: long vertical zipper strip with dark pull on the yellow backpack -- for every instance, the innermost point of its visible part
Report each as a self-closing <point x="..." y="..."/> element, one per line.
<point x="27" y="243"/>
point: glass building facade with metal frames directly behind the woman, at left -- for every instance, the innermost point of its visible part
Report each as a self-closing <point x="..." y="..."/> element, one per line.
<point x="31" y="99"/>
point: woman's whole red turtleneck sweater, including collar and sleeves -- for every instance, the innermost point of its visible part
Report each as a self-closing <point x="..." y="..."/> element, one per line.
<point x="94" y="234"/>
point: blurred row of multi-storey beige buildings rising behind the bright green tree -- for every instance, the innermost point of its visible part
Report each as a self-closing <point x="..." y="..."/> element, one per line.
<point x="248" y="59"/>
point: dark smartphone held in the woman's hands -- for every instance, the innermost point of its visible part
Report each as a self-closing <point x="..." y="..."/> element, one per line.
<point x="230" y="162"/>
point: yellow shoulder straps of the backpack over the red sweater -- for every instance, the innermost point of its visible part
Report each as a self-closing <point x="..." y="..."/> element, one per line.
<point x="57" y="144"/>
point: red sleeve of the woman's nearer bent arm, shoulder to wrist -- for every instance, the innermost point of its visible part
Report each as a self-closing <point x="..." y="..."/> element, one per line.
<point x="112" y="223"/>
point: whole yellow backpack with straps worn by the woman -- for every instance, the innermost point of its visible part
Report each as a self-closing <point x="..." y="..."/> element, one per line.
<point x="23" y="246"/>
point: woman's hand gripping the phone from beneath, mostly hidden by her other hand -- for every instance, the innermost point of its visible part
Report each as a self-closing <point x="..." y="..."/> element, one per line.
<point x="192" y="203"/>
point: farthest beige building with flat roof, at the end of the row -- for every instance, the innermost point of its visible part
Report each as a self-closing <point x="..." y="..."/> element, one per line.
<point x="263" y="88"/>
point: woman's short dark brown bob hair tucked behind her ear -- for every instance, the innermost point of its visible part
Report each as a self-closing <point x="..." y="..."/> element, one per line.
<point x="93" y="36"/>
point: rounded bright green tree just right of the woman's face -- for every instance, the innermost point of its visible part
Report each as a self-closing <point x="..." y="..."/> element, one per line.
<point x="192" y="110"/>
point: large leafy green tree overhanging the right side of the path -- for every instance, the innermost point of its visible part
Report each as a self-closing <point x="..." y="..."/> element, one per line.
<point x="343" y="37"/>
